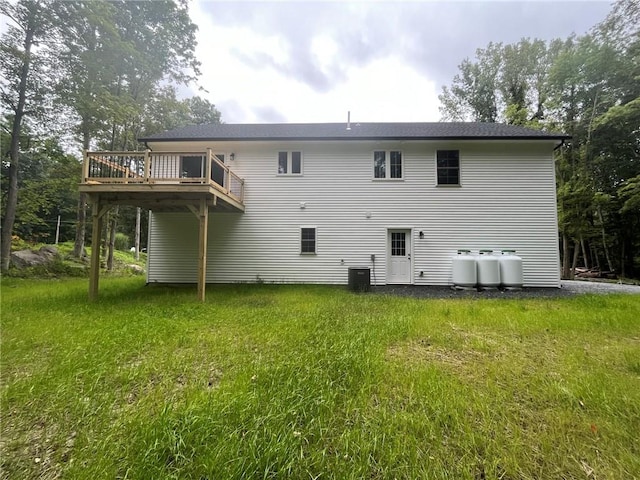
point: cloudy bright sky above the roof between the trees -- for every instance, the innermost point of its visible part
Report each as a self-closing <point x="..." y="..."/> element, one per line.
<point x="384" y="61"/>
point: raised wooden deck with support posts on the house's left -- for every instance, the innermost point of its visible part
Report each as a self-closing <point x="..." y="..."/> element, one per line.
<point x="160" y="181"/>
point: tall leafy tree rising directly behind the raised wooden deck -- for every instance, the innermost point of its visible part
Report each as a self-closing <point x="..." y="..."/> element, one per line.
<point x="115" y="55"/>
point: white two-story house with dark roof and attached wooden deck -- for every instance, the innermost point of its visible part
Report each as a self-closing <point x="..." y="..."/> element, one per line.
<point x="304" y="202"/>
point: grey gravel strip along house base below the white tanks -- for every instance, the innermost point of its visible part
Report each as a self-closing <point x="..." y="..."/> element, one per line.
<point x="569" y="288"/>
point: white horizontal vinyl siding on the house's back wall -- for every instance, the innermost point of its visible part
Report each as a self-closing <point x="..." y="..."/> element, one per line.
<point x="507" y="201"/>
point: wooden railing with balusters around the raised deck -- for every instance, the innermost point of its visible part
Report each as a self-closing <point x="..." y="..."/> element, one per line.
<point x="179" y="168"/>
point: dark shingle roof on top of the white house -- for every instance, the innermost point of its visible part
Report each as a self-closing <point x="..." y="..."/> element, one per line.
<point x="358" y="131"/>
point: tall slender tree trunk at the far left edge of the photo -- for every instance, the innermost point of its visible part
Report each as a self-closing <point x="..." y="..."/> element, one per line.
<point x="14" y="152"/>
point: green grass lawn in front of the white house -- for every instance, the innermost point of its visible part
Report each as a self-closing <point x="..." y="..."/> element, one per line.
<point x="267" y="381"/>
